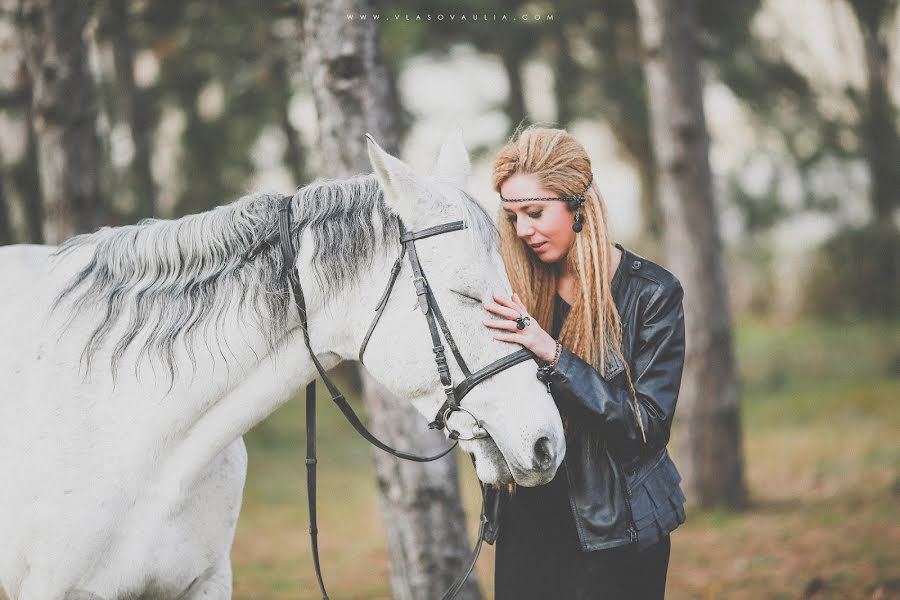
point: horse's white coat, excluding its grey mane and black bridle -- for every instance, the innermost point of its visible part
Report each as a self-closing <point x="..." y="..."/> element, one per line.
<point x="134" y="490"/>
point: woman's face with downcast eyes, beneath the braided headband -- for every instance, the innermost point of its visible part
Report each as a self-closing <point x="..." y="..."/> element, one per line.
<point x="545" y="227"/>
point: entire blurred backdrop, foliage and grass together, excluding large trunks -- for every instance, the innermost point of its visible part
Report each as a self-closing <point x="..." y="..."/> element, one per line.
<point x="203" y="101"/>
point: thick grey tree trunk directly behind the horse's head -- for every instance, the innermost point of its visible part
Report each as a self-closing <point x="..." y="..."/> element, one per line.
<point x="420" y="503"/>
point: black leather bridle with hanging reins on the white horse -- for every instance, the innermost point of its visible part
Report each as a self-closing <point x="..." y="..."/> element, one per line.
<point x="436" y="325"/>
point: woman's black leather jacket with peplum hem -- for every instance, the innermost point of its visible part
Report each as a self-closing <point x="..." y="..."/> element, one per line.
<point x="621" y="489"/>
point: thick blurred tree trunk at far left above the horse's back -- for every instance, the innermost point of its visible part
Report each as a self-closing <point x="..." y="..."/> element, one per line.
<point x="64" y="114"/>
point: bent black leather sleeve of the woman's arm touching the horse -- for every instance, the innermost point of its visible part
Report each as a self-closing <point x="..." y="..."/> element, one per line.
<point x="657" y="364"/>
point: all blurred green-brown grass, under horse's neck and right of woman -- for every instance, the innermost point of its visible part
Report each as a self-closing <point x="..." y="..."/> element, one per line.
<point x="822" y="448"/>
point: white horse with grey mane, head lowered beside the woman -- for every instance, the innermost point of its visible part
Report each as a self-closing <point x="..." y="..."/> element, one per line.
<point x="133" y="359"/>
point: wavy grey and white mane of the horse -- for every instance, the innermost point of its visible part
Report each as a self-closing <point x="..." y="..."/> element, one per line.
<point x="178" y="277"/>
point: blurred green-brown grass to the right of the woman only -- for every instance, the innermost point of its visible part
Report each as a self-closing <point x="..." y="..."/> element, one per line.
<point x="822" y="446"/>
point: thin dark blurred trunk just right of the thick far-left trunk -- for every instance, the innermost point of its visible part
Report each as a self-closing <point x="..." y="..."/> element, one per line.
<point x="135" y="109"/>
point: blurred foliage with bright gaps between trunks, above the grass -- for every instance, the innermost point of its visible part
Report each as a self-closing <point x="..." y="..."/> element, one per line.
<point x="201" y="102"/>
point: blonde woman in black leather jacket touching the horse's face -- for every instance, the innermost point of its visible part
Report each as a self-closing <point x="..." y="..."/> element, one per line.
<point x="608" y="328"/>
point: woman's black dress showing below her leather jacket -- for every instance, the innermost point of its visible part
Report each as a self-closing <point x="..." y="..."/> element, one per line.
<point x="538" y="554"/>
